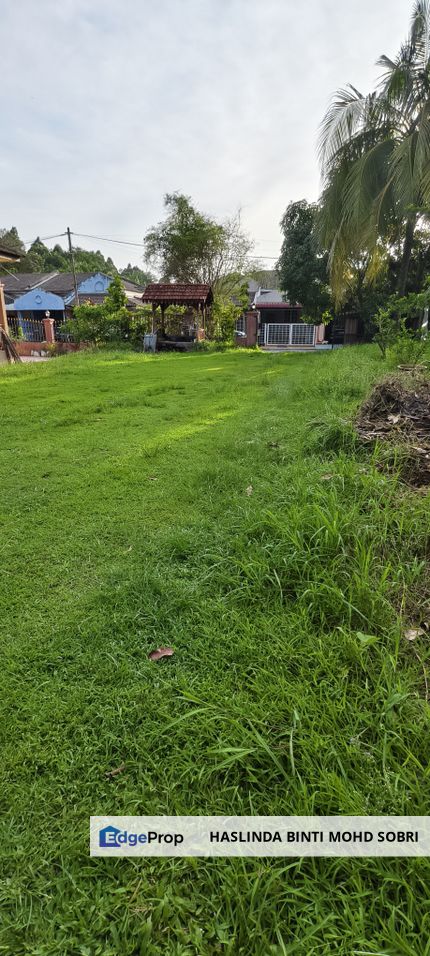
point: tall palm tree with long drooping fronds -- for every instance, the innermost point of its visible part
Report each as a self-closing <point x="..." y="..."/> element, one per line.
<point x="375" y="155"/>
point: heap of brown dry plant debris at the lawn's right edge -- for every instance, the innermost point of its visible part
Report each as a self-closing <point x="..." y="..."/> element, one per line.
<point x="398" y="411"/>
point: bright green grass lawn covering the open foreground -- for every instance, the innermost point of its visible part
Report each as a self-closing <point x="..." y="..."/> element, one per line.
<point x="126" y="524"/>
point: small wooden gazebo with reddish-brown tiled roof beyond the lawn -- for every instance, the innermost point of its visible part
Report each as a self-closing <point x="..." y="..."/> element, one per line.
<point x="198" y="297"/>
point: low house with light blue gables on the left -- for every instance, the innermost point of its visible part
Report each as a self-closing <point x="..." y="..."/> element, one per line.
<point x="30" y="296"/>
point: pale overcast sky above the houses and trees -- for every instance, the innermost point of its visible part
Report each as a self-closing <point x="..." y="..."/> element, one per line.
<point x="109" y="104"/>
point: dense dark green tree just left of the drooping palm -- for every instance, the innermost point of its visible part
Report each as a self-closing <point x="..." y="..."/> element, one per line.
<point x="302" y="266"/>
